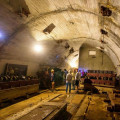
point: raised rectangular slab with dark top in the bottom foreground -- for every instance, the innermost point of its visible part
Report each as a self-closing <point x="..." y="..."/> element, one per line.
<point x="46" y="111"/>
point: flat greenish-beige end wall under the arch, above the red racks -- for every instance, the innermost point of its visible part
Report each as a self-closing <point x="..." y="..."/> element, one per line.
<point x="97" y="63"/>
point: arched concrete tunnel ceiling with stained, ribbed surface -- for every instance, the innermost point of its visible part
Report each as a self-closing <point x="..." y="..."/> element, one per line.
<point x="76" y="22"/>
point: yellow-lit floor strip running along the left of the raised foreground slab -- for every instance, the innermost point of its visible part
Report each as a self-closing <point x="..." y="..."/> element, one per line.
<point x="17" y="110"/>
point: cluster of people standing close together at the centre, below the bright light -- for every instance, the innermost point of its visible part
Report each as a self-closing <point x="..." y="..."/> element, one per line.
<point x="72" y="78"/>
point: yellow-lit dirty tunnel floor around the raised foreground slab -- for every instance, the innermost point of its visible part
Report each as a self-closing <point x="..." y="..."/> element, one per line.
<point x="80" y="105"/>
